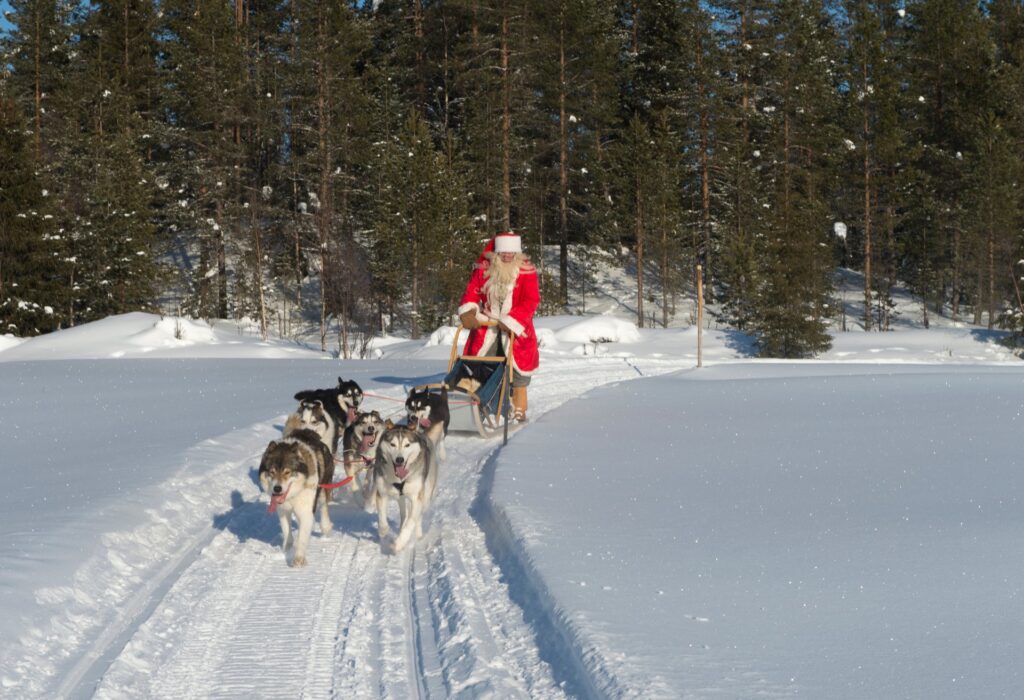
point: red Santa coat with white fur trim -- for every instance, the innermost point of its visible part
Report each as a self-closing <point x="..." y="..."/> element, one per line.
<point x="517" y="314"/>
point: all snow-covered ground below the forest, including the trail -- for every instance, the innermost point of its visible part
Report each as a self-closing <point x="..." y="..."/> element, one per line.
<point x="848" y="528"/>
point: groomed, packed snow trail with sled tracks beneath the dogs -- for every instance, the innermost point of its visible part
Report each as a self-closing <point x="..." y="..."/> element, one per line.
<point x="436" y="621"/>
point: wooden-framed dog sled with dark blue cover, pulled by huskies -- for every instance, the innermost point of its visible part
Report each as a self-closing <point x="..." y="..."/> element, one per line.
<point x="480" y="390"/>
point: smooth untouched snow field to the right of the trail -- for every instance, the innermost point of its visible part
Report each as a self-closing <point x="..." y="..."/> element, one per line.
<point x="761" y="533"/>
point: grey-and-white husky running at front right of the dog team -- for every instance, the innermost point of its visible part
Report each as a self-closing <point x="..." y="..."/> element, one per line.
<point x="405" y="470"/>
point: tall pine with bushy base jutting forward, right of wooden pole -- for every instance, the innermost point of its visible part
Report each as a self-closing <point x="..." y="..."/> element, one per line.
<point x="794" y="307"/>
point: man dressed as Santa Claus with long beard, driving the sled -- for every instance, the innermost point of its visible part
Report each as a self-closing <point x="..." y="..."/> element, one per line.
<point x="504" y="289"/>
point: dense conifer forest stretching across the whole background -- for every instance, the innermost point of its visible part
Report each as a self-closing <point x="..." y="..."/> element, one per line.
<point x="339" y="165"/>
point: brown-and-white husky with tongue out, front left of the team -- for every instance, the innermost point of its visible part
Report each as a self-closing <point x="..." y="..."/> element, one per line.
<point x="292" y="471"/>
